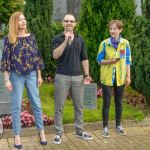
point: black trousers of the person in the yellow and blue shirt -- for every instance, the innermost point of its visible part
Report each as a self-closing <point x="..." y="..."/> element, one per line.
<point x="118" y="94"/>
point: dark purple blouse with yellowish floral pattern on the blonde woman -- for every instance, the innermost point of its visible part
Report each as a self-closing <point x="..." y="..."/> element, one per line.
<point x="22" y="57"/>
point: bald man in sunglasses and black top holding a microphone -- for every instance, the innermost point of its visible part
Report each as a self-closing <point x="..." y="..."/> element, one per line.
<point x="69" y="51"/>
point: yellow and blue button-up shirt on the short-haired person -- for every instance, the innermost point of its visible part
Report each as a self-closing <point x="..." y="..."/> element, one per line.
<point x="118" y="70"/>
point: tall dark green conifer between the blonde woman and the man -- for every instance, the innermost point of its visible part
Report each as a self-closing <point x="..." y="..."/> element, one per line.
<point x="38" y="14"/>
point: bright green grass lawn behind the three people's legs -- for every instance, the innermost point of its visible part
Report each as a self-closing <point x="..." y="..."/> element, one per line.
<point x="47" y="99"/>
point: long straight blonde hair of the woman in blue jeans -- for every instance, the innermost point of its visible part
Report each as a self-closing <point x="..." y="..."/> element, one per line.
<point x="13" y="27"/>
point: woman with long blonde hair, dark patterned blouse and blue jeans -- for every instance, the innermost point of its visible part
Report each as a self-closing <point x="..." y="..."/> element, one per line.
<point x="22" y="64"/>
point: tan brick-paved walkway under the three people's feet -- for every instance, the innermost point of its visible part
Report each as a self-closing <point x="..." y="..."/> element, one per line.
<point x="137" y="138"/>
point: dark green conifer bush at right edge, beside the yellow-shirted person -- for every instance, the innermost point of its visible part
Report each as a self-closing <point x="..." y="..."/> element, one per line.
<point x="140" y="69"/>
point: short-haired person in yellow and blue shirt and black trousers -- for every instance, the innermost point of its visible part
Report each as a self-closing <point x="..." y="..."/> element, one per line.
<point x="114" y="56"/>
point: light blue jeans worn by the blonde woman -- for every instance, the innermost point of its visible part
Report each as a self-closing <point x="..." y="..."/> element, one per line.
<point x="18" y="83"/>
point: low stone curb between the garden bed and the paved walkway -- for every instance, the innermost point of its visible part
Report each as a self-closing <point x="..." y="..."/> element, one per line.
<point x="70" y="127"/>
